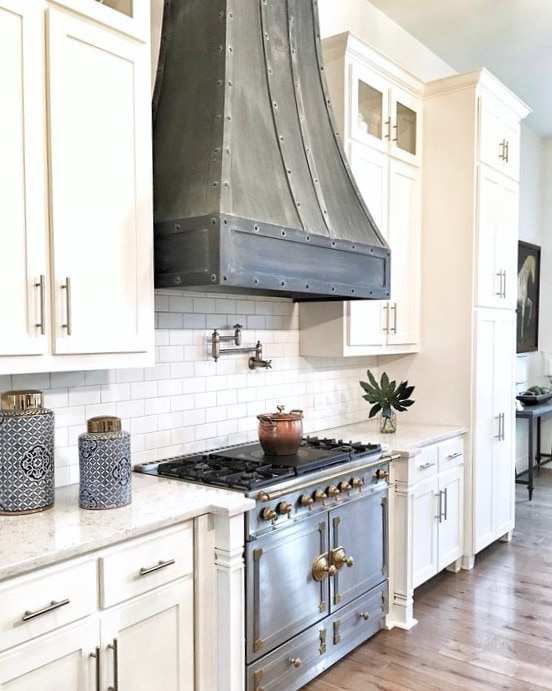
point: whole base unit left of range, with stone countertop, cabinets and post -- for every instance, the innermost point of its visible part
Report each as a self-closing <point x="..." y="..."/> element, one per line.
<point x="85" y="596"/>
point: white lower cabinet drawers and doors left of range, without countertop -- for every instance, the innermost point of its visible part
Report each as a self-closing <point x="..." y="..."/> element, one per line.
<point x="142" y="643"/>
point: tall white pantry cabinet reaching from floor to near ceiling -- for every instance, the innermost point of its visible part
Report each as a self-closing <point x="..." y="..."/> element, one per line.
<point x="470" y="217"/>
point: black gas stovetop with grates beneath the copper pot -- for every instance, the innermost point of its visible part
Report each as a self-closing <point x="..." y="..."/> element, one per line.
<point x="247" y="467"/>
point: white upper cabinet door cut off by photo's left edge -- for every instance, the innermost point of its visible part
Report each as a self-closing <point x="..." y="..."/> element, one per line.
<point x="23" y="220"/>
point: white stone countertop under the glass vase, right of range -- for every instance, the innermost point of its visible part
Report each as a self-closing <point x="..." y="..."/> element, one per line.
<point x="408" y="438"/>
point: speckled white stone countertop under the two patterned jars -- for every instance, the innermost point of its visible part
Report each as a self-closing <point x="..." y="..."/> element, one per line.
<point x="31" y="541"/>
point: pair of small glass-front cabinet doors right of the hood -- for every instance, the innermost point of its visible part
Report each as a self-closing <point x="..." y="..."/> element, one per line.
<point x="384" y="116"/>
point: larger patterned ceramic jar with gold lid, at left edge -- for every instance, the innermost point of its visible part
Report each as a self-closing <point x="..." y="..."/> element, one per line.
<point x="26" y="453"/>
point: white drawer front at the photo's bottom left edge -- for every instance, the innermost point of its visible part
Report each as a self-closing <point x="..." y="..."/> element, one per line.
<point x="45" y="600"/>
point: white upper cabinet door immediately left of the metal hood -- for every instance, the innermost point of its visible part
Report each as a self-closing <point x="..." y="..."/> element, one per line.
<point x="99" y="202"/>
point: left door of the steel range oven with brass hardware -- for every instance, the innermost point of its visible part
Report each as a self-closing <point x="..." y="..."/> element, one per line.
<point x="283" y="596"/>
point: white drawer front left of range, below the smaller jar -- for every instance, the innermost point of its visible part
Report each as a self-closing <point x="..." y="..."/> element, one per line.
<point x="145" y="563"/>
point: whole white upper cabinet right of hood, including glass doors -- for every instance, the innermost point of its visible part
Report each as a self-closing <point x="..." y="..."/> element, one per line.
<point x="377" y="105"/>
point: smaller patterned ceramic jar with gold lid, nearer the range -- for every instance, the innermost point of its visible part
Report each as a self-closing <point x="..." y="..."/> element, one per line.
<point x="104" y="462"/>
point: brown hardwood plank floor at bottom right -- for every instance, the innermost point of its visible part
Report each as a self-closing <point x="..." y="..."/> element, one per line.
<point x="489" y="628"/>
